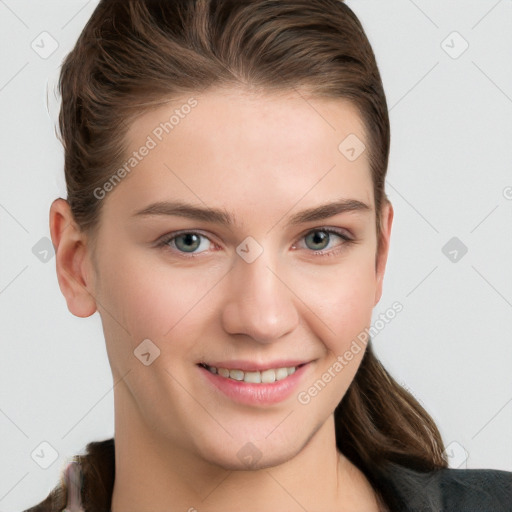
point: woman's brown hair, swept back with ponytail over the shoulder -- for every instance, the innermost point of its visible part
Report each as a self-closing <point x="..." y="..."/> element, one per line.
<point x="134" y="55"/>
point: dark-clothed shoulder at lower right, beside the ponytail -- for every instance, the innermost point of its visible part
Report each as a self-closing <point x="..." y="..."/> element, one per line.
<point x="452" y="490"/>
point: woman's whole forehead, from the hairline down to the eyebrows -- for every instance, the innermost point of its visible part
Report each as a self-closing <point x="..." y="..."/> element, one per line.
<point x="245" y="148"/>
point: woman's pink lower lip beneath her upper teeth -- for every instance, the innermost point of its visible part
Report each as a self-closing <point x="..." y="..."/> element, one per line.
<point x="256" y="394"/>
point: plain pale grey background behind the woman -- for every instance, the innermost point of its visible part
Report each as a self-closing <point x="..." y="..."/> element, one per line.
<point x="447" y="72"/>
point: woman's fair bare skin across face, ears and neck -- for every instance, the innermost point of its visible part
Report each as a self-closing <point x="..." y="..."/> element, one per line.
<point x="262" y="158"/>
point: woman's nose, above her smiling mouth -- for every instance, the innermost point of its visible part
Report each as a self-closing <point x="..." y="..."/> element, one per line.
<point x="260" y="303"/>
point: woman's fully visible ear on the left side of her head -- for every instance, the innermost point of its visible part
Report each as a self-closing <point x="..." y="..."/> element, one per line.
<point x="72" y="260"/>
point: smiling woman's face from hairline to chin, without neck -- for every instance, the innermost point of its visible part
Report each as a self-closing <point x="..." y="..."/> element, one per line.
<point x="259" y="254"/>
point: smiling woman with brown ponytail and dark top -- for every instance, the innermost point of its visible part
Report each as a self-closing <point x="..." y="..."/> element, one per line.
<point x="226" y="216"/>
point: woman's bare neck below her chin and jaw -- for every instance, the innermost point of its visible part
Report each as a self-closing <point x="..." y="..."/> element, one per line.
<point x="153" y="473"/>
